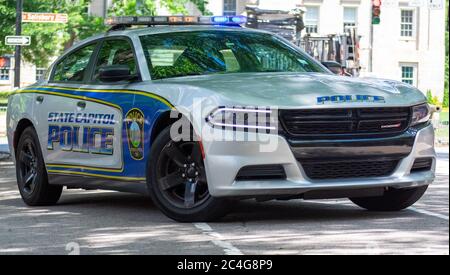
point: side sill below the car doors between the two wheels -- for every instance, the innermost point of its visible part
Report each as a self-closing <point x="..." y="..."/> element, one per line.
<point x="92" y="183"/>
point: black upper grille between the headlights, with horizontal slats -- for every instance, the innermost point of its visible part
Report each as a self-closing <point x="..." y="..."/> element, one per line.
<point x="345" y="122"/>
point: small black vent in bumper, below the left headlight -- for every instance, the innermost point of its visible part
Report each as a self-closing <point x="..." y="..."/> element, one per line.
<point x="261" y="172"/>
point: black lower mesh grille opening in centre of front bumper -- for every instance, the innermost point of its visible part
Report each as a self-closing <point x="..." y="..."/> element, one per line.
<point x="321" y="170"/>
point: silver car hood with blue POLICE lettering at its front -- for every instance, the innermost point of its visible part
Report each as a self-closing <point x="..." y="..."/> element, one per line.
<point x="292" y="90"/>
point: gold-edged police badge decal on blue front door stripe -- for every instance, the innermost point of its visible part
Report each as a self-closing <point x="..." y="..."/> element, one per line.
<point x="134" y="121"/>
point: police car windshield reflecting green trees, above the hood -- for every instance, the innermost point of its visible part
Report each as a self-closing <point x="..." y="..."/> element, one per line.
<point x="213" y="52"/>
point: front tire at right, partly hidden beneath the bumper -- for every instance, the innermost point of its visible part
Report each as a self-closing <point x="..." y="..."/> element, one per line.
<point x="392" y="200"/>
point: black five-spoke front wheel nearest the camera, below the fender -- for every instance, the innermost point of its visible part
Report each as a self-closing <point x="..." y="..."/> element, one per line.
<point x="166" y="160"/>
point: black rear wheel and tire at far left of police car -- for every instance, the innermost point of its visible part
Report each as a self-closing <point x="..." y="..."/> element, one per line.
<point x="32" y="178"/>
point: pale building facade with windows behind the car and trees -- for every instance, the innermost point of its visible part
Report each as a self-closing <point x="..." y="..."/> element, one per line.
<point x="408" y="45"/>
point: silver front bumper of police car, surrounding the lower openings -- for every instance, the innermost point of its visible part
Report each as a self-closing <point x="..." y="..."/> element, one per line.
<point x="224" y="160"/>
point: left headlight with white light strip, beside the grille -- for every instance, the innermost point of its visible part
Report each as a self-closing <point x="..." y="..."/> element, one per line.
<point x="243" y="118"/>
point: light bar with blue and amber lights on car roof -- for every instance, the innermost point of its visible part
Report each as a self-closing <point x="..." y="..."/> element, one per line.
<point x="176" y="20"/>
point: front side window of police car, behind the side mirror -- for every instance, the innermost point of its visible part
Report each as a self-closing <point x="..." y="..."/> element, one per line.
<point x="115" y="52"/>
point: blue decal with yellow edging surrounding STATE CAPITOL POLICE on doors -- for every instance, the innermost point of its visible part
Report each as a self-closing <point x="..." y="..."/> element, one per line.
<point x="152" y="107"/>
